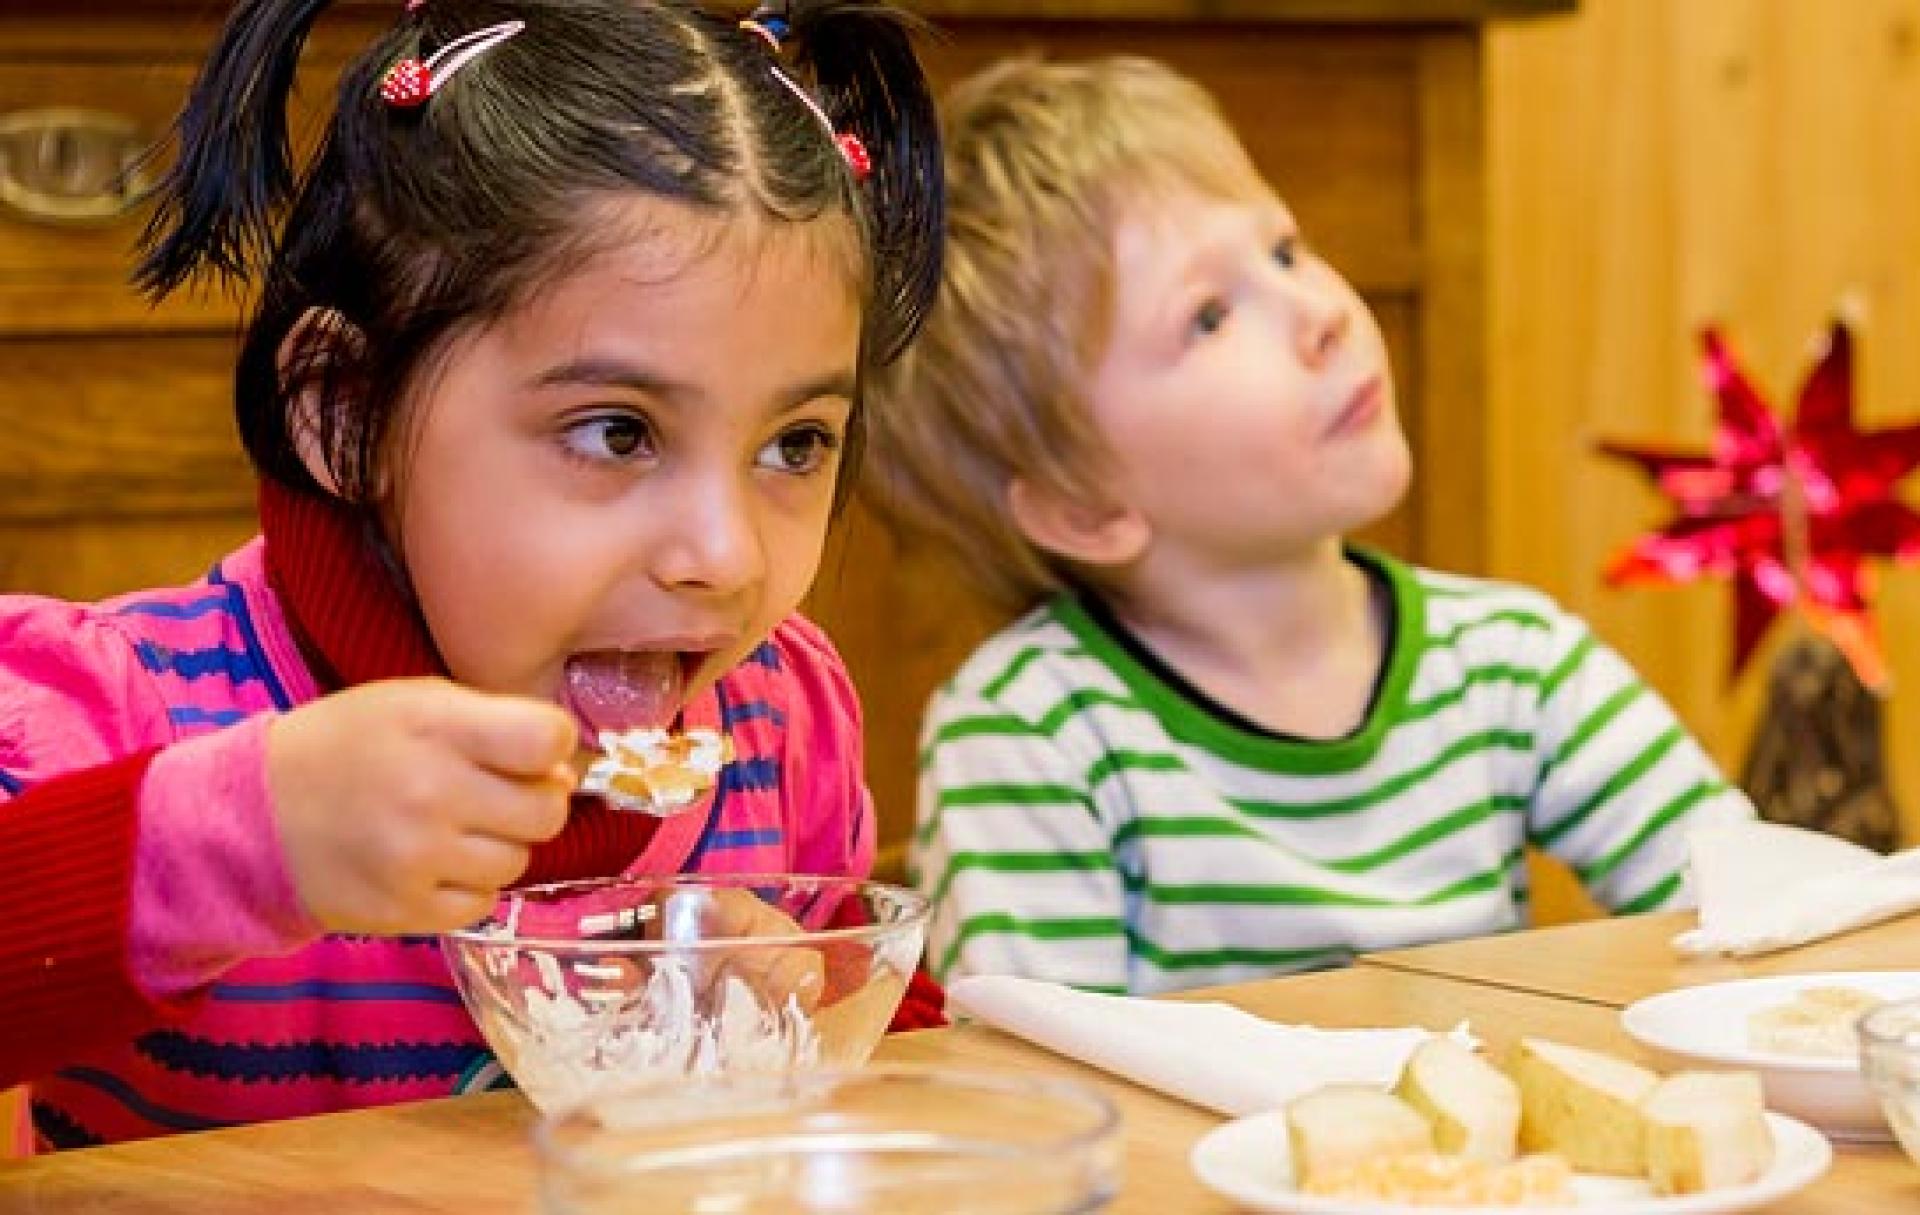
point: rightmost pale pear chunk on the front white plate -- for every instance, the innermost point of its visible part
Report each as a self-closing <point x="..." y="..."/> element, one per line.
<point x="1706" y="1130"/>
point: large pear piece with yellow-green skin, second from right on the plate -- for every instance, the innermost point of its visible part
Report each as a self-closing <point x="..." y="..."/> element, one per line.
<point x="1583" y="1105"/>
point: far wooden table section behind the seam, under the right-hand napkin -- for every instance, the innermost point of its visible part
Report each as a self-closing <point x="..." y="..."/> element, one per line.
<point x="1616" y="963"/>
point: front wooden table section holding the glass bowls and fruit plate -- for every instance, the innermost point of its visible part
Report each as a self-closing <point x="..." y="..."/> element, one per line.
<point x="473" y="1155"/>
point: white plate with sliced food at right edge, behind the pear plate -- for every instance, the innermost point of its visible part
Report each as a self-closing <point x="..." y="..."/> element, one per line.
<point x="1796" y="1032"/>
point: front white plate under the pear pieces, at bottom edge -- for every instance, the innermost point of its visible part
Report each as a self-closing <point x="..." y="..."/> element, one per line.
<point x="1247" y="1162"/>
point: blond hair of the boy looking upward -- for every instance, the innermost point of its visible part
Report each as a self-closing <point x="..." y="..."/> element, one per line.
<point x="1042" y="158"/>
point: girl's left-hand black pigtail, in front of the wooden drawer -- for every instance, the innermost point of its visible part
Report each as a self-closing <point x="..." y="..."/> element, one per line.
<point x="233" y="174"/>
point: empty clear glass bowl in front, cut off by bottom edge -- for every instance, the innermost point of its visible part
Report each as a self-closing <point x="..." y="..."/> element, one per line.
<point x="896" y="1141"/>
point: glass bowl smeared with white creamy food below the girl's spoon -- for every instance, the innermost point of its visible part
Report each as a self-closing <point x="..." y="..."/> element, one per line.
<point x="592" y="986"/>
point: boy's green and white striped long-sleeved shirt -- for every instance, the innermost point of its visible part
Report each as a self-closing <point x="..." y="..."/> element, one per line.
<point x="1088" y="822"/>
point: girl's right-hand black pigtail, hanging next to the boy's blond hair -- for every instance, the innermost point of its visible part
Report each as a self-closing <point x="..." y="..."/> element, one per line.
<point x="863" y="68"/>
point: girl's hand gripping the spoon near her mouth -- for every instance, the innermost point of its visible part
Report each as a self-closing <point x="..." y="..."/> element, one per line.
<point x="406" y="807"/>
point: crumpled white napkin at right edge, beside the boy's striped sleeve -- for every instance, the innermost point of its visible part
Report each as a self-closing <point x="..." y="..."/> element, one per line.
<point x="1765" y="886"/>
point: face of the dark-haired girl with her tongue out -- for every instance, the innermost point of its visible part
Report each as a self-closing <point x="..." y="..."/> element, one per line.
<point x="615" y="492"/>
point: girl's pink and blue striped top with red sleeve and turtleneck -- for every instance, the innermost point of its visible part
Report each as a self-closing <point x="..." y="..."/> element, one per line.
<point x="203" y="995"/>
